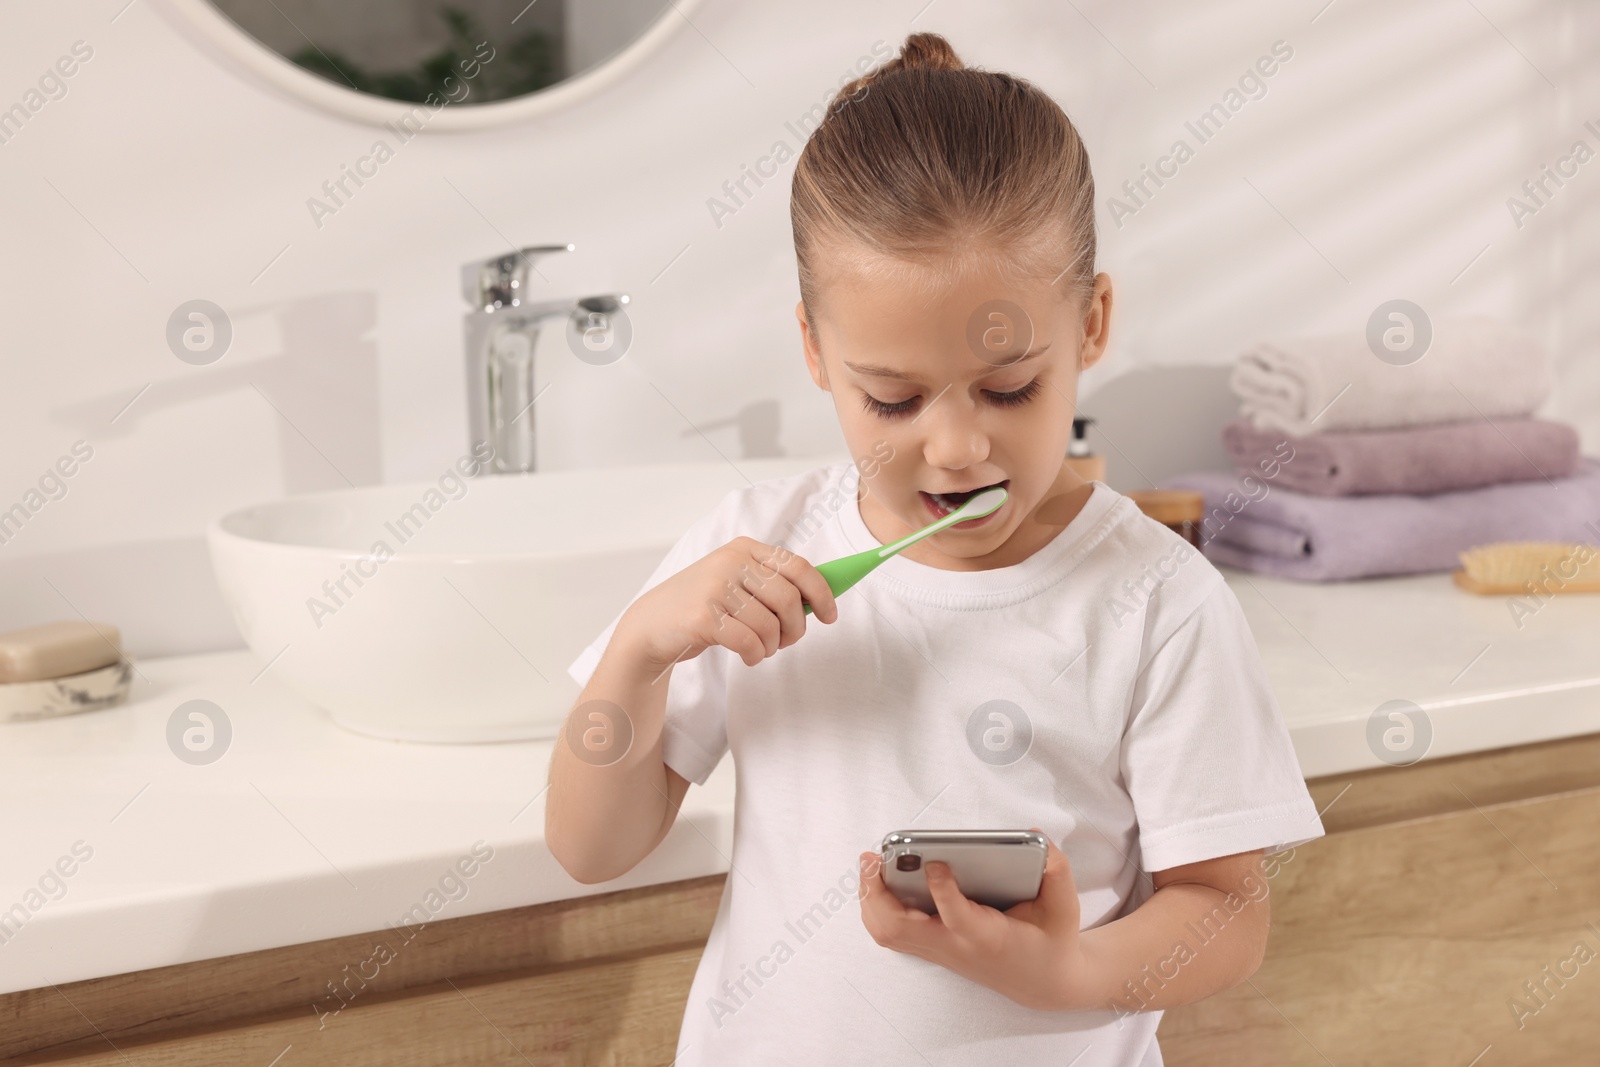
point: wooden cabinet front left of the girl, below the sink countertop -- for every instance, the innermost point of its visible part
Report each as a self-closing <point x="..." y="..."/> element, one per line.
<point x="593" y="981"/>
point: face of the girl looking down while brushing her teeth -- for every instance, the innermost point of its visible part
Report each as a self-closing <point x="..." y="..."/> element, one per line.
<point x="951" y="383"/>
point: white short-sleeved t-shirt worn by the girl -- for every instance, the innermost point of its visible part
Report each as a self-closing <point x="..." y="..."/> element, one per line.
<point x="1137" y="729"/>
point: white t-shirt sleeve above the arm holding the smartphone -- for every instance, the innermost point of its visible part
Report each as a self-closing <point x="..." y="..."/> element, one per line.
<point x="1207" y="757"/>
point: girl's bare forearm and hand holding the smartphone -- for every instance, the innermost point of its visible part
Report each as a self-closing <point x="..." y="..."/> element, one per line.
<point x="1204" y="930"/>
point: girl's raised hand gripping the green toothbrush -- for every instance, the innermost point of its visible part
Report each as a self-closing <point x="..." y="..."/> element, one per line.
<point x="746" y="596"/>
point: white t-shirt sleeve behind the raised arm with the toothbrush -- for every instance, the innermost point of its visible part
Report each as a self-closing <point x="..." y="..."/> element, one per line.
<point x="695" y="733"/>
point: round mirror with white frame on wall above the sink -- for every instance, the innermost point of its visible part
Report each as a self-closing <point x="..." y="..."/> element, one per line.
<point x="471" y="63"/>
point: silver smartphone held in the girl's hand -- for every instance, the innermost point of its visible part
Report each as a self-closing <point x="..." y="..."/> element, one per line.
<point x="994" y="868"/>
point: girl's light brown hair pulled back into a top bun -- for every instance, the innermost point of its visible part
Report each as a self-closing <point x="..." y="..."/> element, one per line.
<point x="926" y="159"/>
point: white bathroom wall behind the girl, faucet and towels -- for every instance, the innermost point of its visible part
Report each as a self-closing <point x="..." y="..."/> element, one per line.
<point x="1383" y="154"/>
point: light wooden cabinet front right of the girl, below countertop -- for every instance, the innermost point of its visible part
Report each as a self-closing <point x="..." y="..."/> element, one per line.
<point x="1436" y="903"/>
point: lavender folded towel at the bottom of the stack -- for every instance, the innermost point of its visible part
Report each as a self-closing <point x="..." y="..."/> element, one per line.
<point x="1257" y="526"/>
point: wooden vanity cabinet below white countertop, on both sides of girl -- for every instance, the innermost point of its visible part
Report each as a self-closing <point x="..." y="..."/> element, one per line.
<point x="1442" y="895"/>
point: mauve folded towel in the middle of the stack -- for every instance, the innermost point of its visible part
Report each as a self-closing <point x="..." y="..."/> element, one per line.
<point x="1422" y="460"/>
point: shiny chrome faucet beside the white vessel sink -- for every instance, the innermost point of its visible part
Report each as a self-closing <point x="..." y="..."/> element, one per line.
<point x="502" y="332"/>
